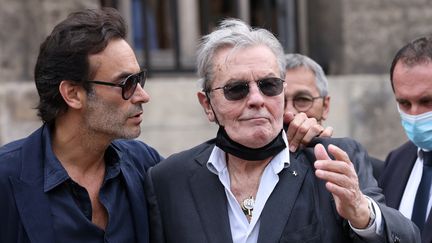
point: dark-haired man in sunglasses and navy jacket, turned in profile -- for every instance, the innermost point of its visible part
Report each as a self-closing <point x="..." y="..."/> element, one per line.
<point x="73" y="180"/>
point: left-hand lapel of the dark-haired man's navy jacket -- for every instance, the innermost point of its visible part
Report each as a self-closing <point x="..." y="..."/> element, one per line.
<point x="32" y="203"/>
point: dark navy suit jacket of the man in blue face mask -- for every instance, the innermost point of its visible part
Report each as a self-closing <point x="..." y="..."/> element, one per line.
<point x="397" y="169"/>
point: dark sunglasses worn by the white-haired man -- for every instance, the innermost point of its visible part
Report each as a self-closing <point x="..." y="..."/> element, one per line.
<point x="240" y="89"/>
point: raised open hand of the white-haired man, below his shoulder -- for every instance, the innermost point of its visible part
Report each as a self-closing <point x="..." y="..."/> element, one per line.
<point x="342" y="183"/>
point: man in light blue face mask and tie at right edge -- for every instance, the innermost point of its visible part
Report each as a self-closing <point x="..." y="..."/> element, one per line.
<point x="406" y="179"/>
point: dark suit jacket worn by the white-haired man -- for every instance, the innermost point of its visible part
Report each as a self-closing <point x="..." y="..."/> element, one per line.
<point x="188" y="204"/>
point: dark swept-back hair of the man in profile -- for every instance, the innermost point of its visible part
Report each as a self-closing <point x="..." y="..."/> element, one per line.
<point x="64" y="55"/>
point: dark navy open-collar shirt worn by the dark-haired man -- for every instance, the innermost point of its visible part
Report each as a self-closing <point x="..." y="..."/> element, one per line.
<point x="71" y="207"/>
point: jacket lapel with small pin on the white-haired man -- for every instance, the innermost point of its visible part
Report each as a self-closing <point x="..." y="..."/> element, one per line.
<point x="274" y="217"/>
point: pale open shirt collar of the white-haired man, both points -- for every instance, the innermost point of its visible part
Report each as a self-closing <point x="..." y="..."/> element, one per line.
<point x="217" y="160"/>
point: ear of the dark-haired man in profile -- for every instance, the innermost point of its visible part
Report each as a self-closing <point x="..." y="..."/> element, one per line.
<point x="72" y="94"/>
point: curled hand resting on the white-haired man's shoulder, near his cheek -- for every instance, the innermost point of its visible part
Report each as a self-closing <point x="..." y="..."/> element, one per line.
<point x="302" y="130"/>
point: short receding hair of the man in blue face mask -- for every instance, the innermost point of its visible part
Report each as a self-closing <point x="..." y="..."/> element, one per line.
<point x="418" y="51"/>
